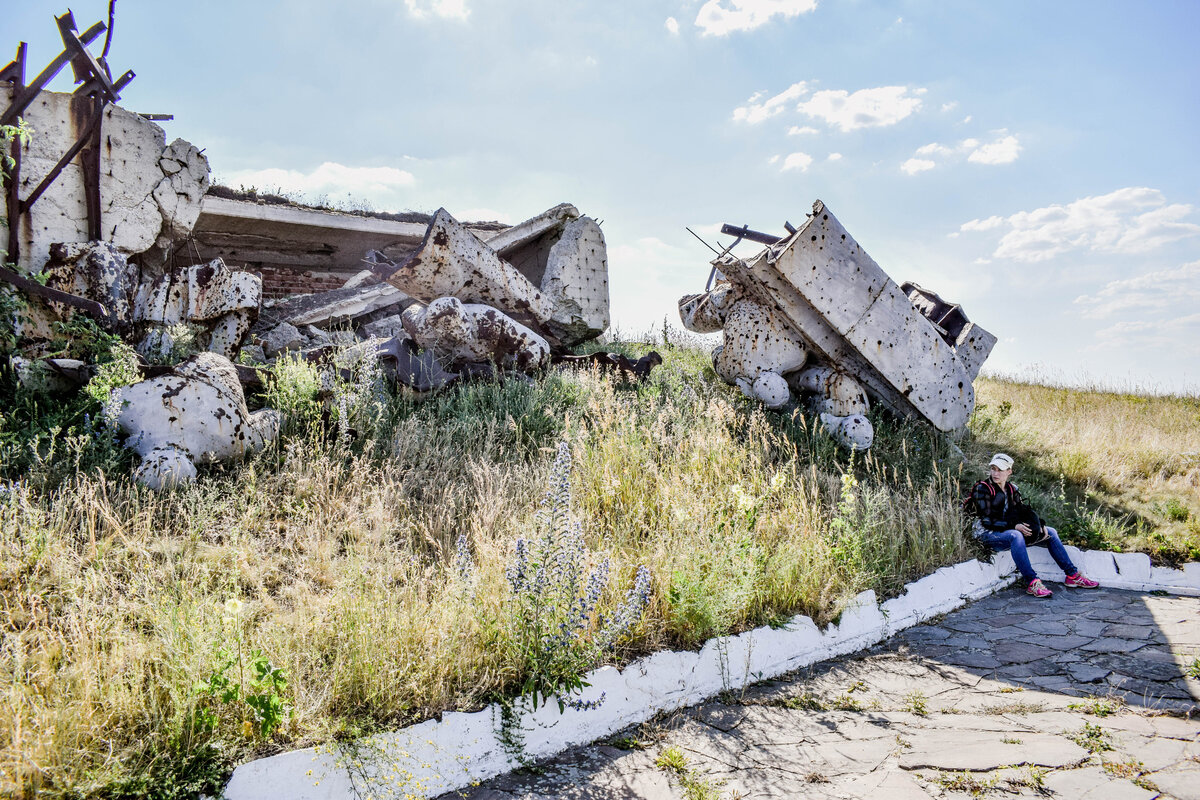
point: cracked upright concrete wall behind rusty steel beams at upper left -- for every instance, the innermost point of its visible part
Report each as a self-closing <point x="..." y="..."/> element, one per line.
<point x="151" y="191"/>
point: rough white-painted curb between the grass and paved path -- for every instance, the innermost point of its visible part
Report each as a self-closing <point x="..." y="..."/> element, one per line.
<point x="463" y="749"/>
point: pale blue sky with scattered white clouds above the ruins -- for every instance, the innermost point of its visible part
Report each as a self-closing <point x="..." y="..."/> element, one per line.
<point x="1036" y="163"/>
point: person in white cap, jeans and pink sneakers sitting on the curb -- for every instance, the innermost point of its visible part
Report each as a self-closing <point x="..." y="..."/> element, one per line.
<point x="1006" y="524"/>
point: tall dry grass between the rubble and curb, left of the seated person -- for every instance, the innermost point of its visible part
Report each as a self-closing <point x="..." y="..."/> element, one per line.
<point x="113" y="597"/>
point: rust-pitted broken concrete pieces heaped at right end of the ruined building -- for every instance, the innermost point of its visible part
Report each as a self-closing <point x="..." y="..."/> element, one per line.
<point x="507" y="302"/>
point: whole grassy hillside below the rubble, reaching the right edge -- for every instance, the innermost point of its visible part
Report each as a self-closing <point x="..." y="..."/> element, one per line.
<point x="353" y="580"/>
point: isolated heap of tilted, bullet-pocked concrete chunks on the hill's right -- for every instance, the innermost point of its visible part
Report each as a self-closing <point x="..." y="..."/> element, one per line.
<point x="814" y="315"/>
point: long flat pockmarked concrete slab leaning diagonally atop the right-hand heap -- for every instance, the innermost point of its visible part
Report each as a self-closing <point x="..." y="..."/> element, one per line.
<point x="837" y="299"/>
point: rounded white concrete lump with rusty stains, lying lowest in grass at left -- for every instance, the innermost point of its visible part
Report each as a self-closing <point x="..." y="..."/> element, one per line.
<point x="196" y="416"/>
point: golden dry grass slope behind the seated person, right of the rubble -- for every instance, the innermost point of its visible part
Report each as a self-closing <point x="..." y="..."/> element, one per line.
<point x="1127" y="467"/>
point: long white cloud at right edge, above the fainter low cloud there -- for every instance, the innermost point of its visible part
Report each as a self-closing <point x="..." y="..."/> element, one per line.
<point x="1132" y="220"/>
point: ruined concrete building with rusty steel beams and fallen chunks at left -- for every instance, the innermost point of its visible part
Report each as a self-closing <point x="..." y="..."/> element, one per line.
<point x="123" y="227"/>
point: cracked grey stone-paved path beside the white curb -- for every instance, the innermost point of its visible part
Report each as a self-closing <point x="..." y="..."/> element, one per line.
<point x="1082" y="696"/>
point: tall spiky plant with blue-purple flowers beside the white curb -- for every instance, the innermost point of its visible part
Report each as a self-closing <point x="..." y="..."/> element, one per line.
<point x="557" y="586"/>
